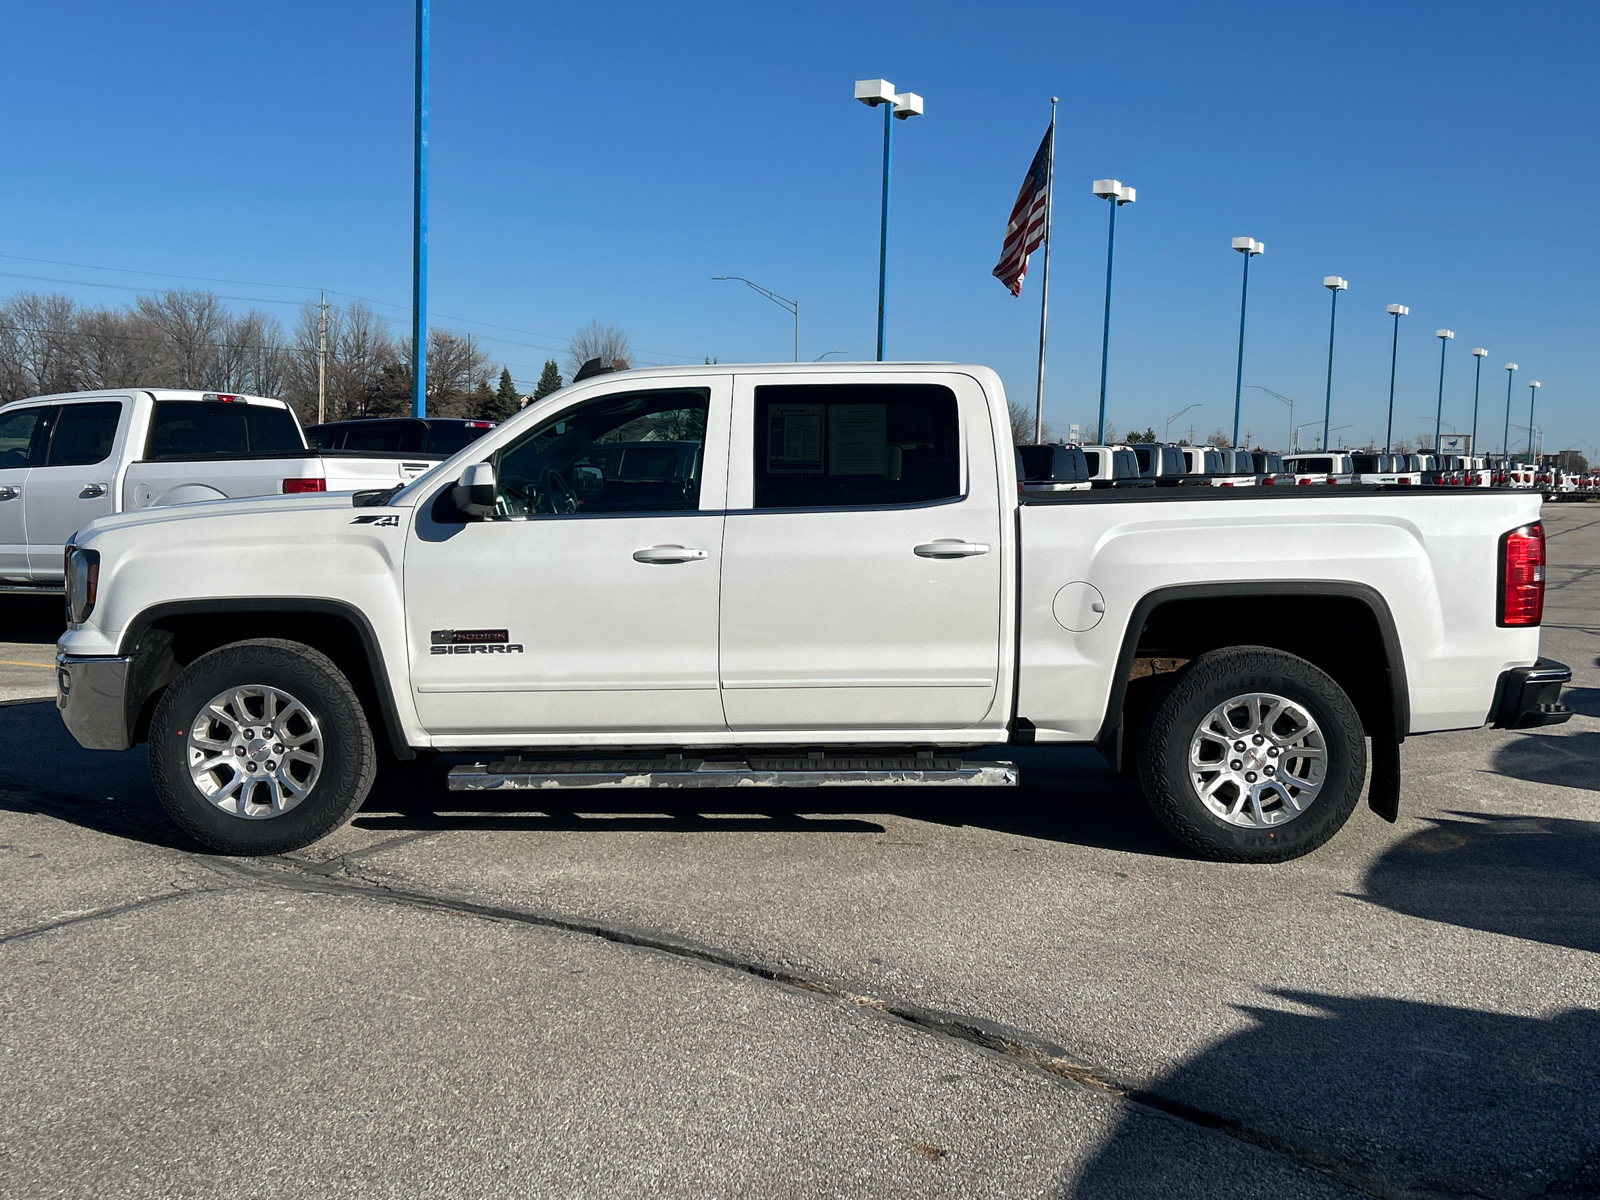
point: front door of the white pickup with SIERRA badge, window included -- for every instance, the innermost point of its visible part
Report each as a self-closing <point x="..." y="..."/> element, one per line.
<point x="588" y="604"/>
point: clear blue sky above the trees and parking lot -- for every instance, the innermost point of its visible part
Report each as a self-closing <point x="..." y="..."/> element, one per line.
<point x="607" y="161"/>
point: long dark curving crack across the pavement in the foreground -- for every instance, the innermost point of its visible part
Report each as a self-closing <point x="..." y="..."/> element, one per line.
<point x="1012" y="1046"/>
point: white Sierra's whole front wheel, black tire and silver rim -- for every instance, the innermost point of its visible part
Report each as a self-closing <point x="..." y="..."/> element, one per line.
<point x="262" y="748"/>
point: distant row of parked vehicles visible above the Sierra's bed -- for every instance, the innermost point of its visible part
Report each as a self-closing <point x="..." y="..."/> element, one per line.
<point x="1073" y="468"/>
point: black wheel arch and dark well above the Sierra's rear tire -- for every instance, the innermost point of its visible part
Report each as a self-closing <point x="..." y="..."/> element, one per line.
<point x="1190" y="620"/>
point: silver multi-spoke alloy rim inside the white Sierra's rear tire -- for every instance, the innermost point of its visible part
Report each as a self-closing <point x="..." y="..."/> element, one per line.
<point x="1258" y="761"/>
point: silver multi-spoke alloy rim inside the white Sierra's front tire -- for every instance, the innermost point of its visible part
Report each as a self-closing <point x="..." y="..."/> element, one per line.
<point x="255" y="751"/>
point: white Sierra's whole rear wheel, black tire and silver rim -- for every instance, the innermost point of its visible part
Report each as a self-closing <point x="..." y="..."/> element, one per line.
<point x="1254" y="756"/>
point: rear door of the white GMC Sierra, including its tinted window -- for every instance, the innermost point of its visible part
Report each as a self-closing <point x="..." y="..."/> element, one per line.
<point x="863" y="554"/>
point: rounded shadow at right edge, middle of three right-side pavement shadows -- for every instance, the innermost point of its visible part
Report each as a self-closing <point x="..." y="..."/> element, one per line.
<point x="1532" y="878"/>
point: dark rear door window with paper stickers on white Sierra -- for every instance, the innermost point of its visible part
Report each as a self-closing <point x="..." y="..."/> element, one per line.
<point x="855" y="446"/>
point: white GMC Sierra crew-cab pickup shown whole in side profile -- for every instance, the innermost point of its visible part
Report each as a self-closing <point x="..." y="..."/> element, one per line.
<point x="799" y="575"/>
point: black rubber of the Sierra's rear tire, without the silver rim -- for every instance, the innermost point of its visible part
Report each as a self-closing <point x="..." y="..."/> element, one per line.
<point x="1175" y="721"/>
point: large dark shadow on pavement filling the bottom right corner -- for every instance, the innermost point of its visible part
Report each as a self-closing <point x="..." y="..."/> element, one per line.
<point x="1388" y="1097"/>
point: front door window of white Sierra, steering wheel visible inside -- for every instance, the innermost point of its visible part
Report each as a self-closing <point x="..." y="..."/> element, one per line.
<point x="638" y="452"/>
